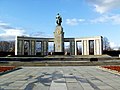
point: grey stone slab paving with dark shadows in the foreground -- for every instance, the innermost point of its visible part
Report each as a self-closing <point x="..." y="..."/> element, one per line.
<point x="60" y="78"/>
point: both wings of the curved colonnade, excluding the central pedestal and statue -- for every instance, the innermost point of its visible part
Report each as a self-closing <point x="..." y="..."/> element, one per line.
<point x="20" y="41"/>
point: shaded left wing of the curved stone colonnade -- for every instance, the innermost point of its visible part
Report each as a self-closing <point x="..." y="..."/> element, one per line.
<point x="20" y="45"/>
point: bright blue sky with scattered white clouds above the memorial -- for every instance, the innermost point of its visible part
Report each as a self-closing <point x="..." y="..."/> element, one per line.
<point x="81" y="18"/>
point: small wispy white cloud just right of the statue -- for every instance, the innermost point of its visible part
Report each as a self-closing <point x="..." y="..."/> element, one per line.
<point x="74" y="21"/>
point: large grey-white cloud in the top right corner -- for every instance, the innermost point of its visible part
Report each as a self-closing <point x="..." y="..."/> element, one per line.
<point x="103" y="6"/>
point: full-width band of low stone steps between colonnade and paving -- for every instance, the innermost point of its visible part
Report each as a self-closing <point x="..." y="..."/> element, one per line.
<point x="50" y="61"/>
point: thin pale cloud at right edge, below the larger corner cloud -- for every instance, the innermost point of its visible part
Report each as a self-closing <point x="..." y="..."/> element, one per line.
<point x="114" y="19"/>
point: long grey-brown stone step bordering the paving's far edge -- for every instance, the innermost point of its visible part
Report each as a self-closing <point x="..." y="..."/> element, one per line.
<point x="59" y="63"/>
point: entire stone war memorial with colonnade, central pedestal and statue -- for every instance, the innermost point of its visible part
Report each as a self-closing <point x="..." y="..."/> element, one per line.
<point x="58" y="43"/>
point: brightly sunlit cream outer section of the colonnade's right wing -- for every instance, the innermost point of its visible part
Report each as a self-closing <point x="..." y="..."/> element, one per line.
<point x="86" y="45"/>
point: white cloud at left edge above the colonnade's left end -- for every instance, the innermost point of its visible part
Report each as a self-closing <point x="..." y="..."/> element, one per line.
<point x="9" y="32"/>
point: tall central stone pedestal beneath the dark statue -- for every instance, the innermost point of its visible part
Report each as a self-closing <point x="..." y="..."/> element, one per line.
<point x="59" y="39"/>
